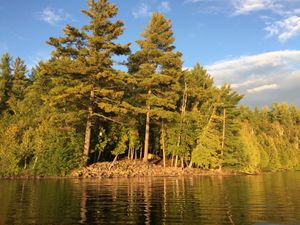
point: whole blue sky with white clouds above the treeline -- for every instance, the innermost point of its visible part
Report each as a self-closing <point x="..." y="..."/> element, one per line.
<point x="254" y="45"/>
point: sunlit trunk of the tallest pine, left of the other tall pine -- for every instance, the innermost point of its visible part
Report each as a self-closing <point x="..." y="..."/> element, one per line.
<point x="88" y="128"/>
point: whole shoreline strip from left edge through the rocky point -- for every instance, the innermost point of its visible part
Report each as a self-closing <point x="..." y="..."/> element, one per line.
<point x="132" y="169"/>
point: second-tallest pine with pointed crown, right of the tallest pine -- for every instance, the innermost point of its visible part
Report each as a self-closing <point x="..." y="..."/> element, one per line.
<point x="156" y="68"/>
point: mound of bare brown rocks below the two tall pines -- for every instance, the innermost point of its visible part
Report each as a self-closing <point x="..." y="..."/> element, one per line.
<point x="137" y="168"/>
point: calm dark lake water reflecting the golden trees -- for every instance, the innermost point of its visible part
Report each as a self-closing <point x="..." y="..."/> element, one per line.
<point x="263" y="199"/>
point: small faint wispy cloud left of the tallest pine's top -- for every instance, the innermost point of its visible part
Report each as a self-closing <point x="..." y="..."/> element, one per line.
<point x="53" y="17"/>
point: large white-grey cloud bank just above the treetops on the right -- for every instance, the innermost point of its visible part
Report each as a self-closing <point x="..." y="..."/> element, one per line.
<point x="265" y="78"/>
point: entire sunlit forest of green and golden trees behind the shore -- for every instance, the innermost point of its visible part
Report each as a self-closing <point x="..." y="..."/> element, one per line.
<point x="78" y="108"/>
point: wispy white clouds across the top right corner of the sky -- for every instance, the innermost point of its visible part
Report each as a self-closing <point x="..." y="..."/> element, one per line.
<point x="281" y="17"/>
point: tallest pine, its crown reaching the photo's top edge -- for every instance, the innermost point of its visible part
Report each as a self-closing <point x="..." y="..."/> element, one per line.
<point x="81" y="67"/>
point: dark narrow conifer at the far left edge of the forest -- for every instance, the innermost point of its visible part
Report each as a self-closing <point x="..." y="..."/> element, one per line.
<point x="5" y="80"/>
